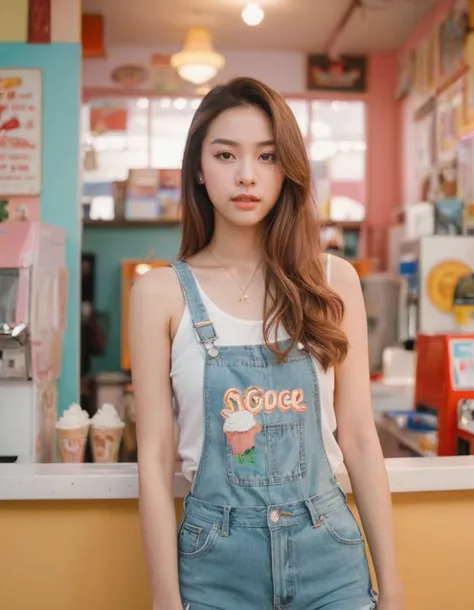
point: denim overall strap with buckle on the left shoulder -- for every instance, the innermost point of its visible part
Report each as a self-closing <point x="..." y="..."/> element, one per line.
<point x="202" y="324"/>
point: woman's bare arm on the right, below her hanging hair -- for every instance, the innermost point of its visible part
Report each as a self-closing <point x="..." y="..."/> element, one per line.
<point x="358" y="438"/>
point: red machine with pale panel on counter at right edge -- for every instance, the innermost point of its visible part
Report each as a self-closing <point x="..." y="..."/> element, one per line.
<point x="444" y="377"/>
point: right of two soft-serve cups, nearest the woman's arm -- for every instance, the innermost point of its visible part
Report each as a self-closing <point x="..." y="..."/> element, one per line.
<point x="106" y="434"/>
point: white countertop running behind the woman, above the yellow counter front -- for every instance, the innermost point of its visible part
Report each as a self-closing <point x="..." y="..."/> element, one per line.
<point x="119" y="481"/>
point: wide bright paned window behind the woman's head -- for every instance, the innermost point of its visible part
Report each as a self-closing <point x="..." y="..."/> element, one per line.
<point x="123" y="134"/>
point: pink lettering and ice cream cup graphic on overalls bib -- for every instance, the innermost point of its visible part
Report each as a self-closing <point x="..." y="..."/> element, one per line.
<point x="241" y="426"/>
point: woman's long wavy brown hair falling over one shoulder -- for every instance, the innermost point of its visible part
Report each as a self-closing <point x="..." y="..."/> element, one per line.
<point x="302" y="301"/>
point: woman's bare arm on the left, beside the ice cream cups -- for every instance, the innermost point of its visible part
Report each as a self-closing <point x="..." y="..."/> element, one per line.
<point x="150" y="345"/>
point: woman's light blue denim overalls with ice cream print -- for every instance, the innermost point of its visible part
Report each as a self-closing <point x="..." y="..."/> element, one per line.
<point x="266" y="526"/>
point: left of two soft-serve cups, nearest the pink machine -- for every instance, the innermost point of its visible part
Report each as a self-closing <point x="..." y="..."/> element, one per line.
<point x="73" y="429"/>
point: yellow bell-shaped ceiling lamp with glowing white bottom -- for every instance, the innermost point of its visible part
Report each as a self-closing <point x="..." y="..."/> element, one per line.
<point x="197" y="62"/>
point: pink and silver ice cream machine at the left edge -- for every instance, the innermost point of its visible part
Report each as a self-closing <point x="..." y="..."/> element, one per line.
<point x="33" y="297"/>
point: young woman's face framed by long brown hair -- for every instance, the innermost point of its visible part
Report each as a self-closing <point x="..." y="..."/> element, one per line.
<point x="240" y="166"/>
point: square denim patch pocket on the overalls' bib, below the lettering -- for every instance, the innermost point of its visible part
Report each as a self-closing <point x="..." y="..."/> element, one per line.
<point x="278" y="457"/>
